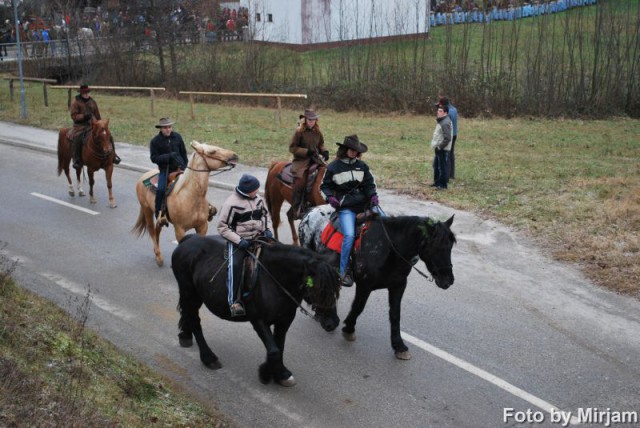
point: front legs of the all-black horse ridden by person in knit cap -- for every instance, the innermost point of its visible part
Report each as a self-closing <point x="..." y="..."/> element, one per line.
<point x="272" y="368"/>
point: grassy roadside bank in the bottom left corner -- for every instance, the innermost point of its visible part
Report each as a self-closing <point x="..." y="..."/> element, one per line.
<point x="55" y="372"/>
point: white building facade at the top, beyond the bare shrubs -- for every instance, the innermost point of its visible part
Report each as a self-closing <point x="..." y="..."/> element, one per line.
<point x="307" y="22"/>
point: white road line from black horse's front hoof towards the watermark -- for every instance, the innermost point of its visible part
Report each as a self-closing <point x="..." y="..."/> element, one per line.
<point x="500" y="383"/>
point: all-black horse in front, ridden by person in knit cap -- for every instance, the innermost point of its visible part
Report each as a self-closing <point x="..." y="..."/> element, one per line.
<point x="283" y="276"/>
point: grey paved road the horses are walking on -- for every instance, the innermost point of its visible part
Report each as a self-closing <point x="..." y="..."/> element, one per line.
<point x="516" y="331"/>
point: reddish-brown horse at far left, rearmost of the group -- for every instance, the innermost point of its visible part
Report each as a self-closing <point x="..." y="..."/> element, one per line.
<point x="97" y="154"/>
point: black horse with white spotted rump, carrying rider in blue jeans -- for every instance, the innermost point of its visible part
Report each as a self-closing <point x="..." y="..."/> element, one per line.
<point x="389" y="249"/>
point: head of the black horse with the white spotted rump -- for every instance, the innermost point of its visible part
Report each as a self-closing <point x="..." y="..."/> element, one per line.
<point x="435" y="250"/>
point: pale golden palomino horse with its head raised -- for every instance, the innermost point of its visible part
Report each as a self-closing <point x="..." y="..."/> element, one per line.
<point x="187" y="204"/>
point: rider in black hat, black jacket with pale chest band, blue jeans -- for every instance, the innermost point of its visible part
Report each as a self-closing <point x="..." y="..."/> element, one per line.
<point x="349" y="187"/>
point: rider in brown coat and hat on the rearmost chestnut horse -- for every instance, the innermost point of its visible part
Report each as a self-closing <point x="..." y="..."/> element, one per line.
<point x="83" y="111"/>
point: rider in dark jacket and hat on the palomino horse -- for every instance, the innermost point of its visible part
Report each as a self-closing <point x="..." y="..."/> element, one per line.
<point x="170" y="154"/>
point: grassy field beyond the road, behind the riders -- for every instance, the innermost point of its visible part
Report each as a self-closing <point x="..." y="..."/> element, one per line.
<point x="571" y="185"/>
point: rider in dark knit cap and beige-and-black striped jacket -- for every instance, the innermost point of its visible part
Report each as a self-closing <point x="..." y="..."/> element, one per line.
<point x="243" y="217"/>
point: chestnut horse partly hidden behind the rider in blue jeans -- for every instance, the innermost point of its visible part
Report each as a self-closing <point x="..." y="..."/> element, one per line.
<point x="276" y="192"/>
